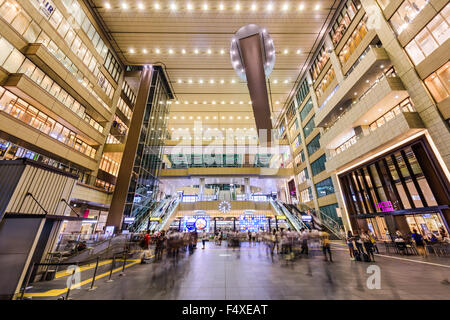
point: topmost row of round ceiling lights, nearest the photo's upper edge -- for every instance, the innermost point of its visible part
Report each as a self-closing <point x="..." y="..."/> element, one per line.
<point x="173" y="6"/>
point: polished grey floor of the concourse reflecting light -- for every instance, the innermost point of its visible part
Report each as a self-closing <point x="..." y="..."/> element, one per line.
<point x="252" y="273"/>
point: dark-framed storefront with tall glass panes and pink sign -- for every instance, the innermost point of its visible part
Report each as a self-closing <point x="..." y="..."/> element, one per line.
<point x="404" y="189"/>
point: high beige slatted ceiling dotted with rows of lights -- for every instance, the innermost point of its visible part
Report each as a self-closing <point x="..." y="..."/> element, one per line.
<point x="192" y="40"/>
